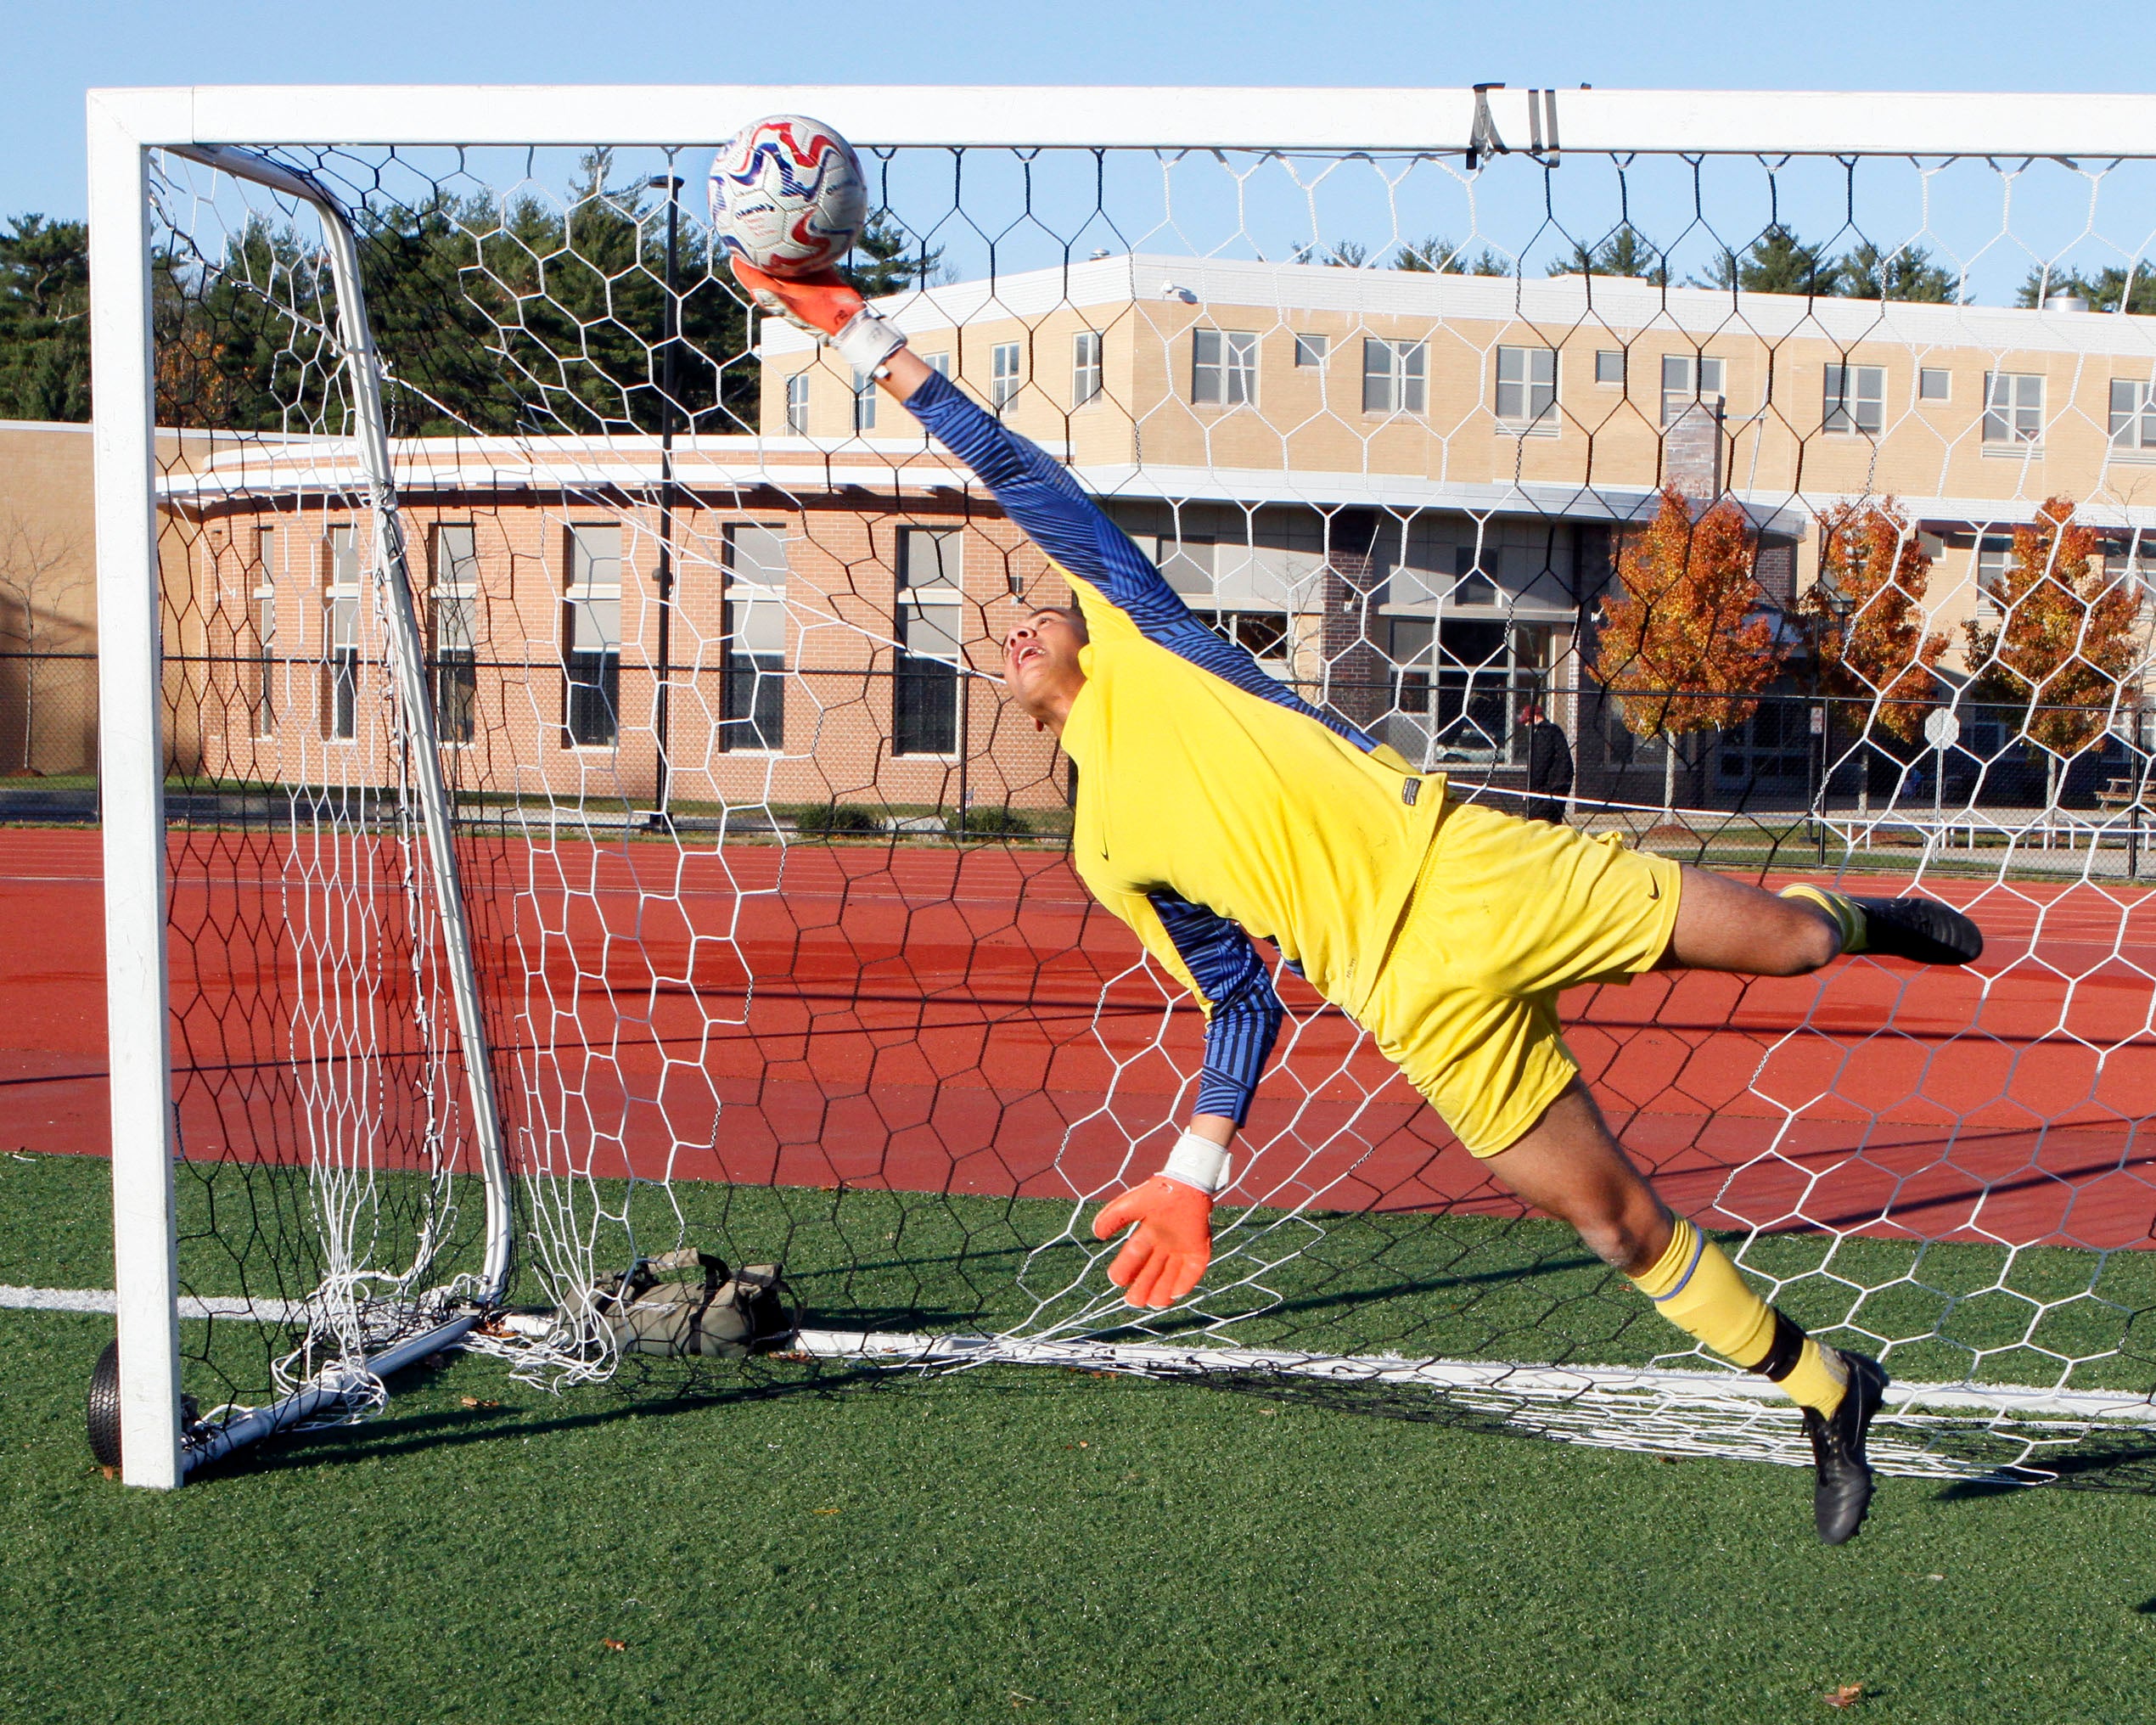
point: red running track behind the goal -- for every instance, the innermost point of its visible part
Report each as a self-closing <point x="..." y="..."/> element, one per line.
<point x="939" y="1021"/>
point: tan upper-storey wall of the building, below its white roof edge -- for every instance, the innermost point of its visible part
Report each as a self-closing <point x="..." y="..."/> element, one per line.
<point x="1605" y="437"/>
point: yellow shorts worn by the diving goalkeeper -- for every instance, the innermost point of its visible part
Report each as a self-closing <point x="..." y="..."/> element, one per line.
<point x="1506" y="915"/>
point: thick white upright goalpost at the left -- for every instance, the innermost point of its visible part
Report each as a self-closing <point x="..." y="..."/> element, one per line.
<point x="130" y="769"/>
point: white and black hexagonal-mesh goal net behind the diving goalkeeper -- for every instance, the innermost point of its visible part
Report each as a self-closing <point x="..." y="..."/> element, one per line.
<point x="592" y="825"/>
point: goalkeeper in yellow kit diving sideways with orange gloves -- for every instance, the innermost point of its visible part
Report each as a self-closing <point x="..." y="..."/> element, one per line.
<point x="1217" y="805"/>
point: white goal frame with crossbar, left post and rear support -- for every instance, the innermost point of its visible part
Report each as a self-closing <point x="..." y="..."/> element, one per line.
<point x="221" y="124"/>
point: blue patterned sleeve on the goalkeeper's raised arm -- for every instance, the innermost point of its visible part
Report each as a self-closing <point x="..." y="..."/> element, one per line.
<point x="1051" y="508"/>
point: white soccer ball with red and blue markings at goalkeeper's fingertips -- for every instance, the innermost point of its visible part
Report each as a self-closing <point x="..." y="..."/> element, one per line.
<point x="788" y="195"/>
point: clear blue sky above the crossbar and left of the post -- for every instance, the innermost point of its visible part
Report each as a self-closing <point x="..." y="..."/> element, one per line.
<point x="61" y="49"/>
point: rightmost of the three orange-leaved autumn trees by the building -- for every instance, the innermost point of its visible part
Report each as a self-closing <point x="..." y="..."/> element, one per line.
<point x="2067" y="635"/>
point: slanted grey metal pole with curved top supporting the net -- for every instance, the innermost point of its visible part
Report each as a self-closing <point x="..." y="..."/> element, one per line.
<point x="409" y="667"/>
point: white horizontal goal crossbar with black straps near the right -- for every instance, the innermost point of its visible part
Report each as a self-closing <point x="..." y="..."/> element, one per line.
<point x="1146" y="118"/>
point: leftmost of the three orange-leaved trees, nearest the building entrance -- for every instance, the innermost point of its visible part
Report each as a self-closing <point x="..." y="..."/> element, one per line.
<point x="1685" y="646"/>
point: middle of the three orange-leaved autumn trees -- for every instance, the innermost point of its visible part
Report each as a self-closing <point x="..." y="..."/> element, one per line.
<point x="1866" y="616"/>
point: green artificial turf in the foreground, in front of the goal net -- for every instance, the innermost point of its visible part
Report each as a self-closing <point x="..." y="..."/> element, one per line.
<point x="1021" y="1545"/>
